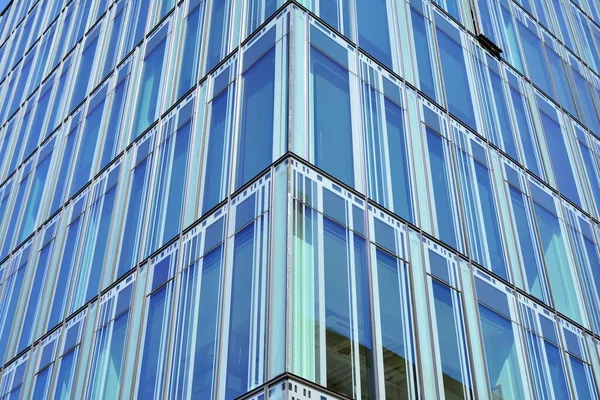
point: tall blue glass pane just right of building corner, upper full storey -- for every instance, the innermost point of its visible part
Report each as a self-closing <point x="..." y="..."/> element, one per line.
<point x="331" y="117"/>
